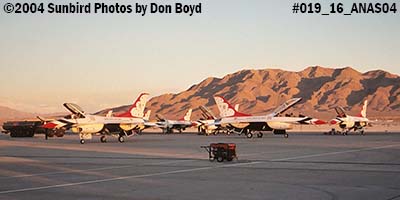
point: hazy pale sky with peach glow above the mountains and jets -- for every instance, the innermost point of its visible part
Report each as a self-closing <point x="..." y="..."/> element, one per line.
<point x="101" y="60"/>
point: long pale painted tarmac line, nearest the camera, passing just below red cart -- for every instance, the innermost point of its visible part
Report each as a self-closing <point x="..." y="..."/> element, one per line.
<point x="124" y="178"/>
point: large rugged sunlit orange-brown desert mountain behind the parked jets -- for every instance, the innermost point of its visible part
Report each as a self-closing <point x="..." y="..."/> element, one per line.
<point x="260" y="91"/>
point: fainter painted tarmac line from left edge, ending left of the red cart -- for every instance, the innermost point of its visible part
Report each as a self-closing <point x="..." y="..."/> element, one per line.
<point x="90" y="170"/>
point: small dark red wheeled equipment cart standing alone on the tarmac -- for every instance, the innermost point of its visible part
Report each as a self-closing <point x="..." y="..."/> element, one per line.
<point x="221" y="151"/>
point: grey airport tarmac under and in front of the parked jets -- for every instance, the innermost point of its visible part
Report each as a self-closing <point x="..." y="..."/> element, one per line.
<point x="154" y="166"/>
